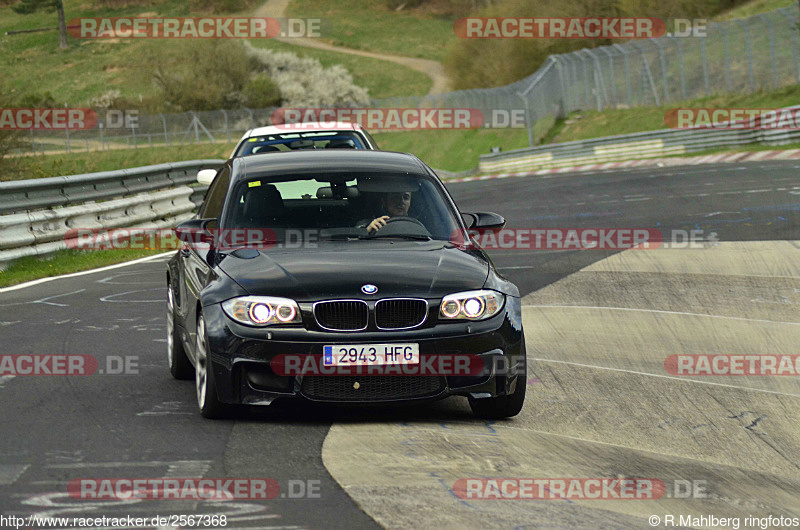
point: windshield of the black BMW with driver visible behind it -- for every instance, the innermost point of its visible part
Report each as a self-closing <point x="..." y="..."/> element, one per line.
<point x="343" y="207"/>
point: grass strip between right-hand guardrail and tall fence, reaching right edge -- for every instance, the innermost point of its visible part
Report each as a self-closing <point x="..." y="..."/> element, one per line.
<point x="593" y="124"/>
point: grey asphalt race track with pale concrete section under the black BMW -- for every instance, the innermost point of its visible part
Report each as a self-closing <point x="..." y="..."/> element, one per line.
<point x="599" y="326"/>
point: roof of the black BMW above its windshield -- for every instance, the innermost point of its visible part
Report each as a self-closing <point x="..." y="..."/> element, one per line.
<point x="327" y="161"/>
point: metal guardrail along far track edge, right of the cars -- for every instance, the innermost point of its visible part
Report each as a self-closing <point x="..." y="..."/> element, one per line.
<point x="632" y="146"/>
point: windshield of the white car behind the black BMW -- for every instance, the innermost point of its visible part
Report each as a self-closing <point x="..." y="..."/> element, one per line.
<point x="292" y="141"/>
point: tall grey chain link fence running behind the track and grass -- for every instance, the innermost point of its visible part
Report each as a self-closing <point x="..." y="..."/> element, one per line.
<point x="760" y="53"/>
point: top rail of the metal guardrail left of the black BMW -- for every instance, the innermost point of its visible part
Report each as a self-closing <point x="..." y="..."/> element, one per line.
<point x="22" y="195"/>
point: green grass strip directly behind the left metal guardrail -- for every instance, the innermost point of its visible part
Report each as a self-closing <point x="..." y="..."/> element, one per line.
<point x="39" y="166"/>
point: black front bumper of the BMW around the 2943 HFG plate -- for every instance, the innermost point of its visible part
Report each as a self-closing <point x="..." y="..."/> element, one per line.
<point x="240" y="357"/>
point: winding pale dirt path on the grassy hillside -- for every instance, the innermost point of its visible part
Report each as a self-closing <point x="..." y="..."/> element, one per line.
<point x="433" y="69"/>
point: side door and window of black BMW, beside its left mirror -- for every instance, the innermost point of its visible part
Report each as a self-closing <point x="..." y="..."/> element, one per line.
<point x="196" y="259"/>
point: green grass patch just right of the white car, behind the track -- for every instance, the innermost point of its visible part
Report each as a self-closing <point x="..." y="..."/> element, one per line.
<point x="452" y="150"/>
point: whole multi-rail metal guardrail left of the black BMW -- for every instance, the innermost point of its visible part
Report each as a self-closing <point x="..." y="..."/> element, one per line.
<point x="40" y="213"/>
